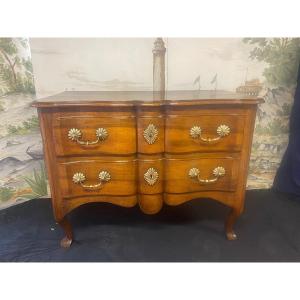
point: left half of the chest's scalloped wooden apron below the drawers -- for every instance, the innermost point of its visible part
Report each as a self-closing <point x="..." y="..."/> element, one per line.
<point x="124" y="201"/>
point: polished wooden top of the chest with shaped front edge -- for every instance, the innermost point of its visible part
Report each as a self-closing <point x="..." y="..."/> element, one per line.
<point x="147" y="98"/>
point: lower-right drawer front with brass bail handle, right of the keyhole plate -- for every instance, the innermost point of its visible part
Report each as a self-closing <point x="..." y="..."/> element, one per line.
<point x="205" y="174"/>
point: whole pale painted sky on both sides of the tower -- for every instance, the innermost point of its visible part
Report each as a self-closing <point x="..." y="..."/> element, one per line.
<point x="126" y="63"/>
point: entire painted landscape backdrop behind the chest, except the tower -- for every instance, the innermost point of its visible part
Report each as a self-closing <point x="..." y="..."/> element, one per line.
<point x="44" y="66"/>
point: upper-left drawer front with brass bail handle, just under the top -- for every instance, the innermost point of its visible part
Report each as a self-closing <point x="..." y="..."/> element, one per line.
<point x="93" y="134"/>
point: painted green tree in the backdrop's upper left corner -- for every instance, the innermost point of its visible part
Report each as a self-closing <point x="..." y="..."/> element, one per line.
<point x="15" y="71"/>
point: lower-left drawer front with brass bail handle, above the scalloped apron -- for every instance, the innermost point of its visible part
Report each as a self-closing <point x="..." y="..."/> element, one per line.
<point x="94" y="177"/>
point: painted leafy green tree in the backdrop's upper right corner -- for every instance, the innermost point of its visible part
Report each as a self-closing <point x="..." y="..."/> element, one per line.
<point x="282" y="56"/>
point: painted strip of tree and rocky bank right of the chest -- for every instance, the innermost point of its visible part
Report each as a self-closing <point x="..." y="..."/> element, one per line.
<point x="281" y="56"/>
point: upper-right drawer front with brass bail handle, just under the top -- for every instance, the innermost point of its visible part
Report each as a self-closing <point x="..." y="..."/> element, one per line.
<point x="204" y="133"/>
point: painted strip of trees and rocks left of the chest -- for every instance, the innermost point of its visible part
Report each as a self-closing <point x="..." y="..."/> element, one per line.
<point x="22" y="172"/>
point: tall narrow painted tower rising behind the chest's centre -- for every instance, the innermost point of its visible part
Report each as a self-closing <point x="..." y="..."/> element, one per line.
<point x="159" y="52"/>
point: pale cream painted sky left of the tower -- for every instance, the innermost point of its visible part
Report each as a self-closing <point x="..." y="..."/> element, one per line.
<point x="91" y="64"/>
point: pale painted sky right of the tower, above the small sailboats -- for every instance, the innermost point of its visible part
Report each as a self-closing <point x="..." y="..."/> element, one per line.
<point x="228" y="57"/>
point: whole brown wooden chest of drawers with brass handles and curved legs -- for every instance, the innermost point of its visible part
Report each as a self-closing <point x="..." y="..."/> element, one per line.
<point x="129" y="149"/>
